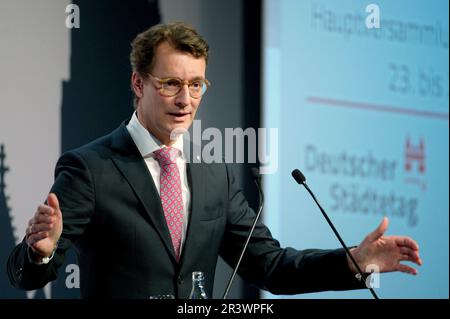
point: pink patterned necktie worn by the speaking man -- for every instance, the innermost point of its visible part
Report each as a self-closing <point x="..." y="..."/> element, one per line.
<point x="170" y="193"/>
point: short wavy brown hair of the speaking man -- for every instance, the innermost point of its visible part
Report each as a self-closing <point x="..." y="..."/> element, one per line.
<point x="181" y="36"/>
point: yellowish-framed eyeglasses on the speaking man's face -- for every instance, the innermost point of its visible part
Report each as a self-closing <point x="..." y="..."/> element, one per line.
<point x="172" y="86"/>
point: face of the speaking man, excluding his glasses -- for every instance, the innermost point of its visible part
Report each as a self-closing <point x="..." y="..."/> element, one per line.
<point x="159" y="114"/>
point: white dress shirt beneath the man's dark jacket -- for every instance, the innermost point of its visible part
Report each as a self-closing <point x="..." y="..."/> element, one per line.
<point x="147" y="144"/>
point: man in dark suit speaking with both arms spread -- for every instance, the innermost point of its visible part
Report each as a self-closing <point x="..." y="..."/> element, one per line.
<point x="143" y="218"/>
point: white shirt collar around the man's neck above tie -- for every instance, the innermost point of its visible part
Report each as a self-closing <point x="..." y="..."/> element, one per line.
<point x="145" y="141"/>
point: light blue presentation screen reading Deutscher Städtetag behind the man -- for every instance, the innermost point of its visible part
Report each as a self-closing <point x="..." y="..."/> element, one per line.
<point x="359" y="93"/>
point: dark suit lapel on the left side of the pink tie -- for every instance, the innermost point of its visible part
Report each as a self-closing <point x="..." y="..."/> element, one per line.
<point x="132" y="166"/>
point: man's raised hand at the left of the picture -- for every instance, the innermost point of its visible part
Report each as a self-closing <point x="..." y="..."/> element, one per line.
<point x="45" y="228"/>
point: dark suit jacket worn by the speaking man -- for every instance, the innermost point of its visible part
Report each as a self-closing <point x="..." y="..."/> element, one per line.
<point x="113" y="216"/>
